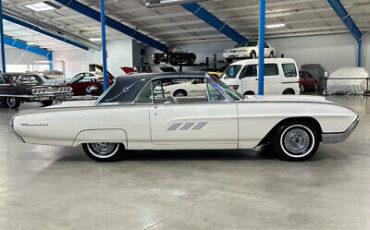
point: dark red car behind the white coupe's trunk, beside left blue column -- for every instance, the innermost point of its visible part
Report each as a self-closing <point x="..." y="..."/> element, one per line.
<point x="82" y="81"/>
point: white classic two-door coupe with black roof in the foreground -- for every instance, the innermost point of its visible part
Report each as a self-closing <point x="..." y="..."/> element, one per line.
<point x="130" y="116"/>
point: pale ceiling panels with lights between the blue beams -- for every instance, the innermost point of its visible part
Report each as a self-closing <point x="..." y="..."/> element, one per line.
<point x="174" y="25"/>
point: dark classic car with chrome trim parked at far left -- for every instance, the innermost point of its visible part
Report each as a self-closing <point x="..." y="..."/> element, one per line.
<point x="16" y="88"/>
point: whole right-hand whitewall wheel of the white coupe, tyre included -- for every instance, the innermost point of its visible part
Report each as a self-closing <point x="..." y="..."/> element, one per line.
<point x="296" y="141"/>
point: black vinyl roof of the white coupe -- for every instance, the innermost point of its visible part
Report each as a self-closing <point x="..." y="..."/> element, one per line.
<point x="126" y="88"/>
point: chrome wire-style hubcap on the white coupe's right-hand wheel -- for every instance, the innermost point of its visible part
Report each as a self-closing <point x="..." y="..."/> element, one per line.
<point x="297" y="141"/>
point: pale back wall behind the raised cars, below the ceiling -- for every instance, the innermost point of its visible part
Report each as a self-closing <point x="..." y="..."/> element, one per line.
<point x="331" y="51"/>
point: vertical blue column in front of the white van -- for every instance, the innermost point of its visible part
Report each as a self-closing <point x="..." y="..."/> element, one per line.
<point x="261" y="48"/>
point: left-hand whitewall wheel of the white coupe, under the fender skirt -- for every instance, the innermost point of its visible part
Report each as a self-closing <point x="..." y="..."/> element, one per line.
<point x="103" y="152"/>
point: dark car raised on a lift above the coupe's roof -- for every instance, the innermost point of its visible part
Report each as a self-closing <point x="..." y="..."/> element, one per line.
<point x="175" y="57"/>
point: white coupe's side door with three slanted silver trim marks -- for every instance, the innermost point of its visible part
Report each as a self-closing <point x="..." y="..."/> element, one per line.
<point x="209" y="121"/>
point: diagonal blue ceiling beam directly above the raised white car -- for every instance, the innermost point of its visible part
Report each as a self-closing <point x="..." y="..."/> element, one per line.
<point x="213" y="21"/>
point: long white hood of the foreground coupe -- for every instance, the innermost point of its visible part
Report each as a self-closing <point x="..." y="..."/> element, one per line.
<point x="287" y="98"/>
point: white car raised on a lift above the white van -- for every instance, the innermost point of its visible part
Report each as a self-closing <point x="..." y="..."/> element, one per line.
<point x="248" y="49"/>
